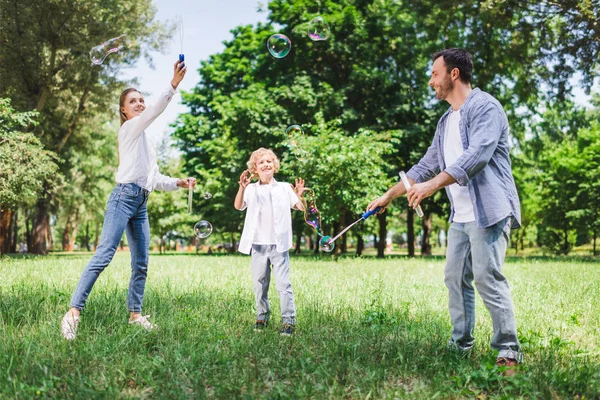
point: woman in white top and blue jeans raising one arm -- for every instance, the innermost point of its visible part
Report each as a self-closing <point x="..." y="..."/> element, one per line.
<point x="136" y="177"/>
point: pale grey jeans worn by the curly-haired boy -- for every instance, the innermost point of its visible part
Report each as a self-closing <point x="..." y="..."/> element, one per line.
<point x="265" y="258"/>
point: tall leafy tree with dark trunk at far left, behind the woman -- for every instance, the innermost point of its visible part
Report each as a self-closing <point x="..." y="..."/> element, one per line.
<point x="44" y="66"/>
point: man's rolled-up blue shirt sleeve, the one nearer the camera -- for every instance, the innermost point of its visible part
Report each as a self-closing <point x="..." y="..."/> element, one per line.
<point x="485" y="130"/>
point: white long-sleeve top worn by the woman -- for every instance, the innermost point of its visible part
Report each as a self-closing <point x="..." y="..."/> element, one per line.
<point x="137" y="157"/>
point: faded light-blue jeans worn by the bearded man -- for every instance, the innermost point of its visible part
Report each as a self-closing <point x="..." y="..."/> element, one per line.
<point x="477" y="255"/>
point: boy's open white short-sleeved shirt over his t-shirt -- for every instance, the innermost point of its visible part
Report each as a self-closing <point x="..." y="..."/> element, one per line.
<point x="283" y="199"/>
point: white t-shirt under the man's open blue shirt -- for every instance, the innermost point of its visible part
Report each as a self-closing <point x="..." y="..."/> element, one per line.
<point x="463" y="206"/>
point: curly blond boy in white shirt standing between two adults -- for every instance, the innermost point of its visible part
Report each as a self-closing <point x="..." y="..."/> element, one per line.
<point x="267" y="234"/>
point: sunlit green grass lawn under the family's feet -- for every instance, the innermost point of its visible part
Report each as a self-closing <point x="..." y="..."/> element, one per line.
<point x="367" y="328"/>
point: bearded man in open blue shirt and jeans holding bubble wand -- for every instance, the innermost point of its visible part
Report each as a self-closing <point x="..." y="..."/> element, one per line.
<point x="471" y="149"/>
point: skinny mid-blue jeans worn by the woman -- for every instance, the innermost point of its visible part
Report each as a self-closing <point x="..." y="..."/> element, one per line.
<point x="125" y="211"/>
